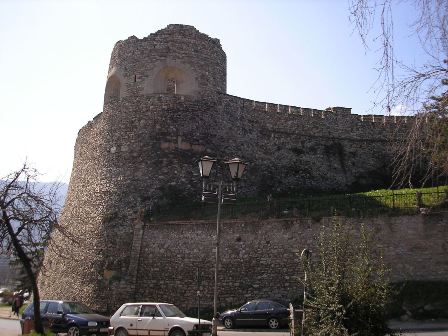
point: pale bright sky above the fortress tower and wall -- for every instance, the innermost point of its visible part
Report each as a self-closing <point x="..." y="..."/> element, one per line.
<point x="54" y="57"/>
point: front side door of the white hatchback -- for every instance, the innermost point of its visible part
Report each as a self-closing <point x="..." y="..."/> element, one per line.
<point x="151" y="322"/>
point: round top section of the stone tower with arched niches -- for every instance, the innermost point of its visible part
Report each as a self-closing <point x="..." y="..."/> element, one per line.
<point x="175" y="60"/>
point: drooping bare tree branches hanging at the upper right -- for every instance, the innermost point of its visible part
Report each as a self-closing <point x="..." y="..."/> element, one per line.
<point x="418" y="88"/>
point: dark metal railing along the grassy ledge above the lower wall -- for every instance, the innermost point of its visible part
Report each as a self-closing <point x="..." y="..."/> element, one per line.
<point x="353" y="205"/>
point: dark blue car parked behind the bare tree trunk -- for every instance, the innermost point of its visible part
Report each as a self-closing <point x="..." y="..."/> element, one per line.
<point x="69" y="317"/>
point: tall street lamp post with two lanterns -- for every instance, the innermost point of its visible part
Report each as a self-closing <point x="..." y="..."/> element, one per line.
<point x="221" y="191"/>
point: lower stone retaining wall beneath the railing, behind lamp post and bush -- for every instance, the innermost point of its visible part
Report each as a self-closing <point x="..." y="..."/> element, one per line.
<point x="261" y="258"/>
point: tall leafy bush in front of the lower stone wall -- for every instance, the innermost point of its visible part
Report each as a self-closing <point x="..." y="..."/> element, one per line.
<point x="347" y="285"/>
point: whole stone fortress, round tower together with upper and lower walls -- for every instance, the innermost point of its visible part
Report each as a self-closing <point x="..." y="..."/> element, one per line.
<point x="165" y="106"/>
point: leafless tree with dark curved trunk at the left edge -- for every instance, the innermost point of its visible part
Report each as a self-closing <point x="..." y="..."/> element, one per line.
<point x="28" y="214"/>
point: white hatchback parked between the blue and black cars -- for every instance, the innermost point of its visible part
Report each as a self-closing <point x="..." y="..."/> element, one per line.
<point x="153" y="318"/>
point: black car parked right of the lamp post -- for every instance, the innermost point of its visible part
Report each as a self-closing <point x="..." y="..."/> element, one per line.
<point x="257" y="313"/>
